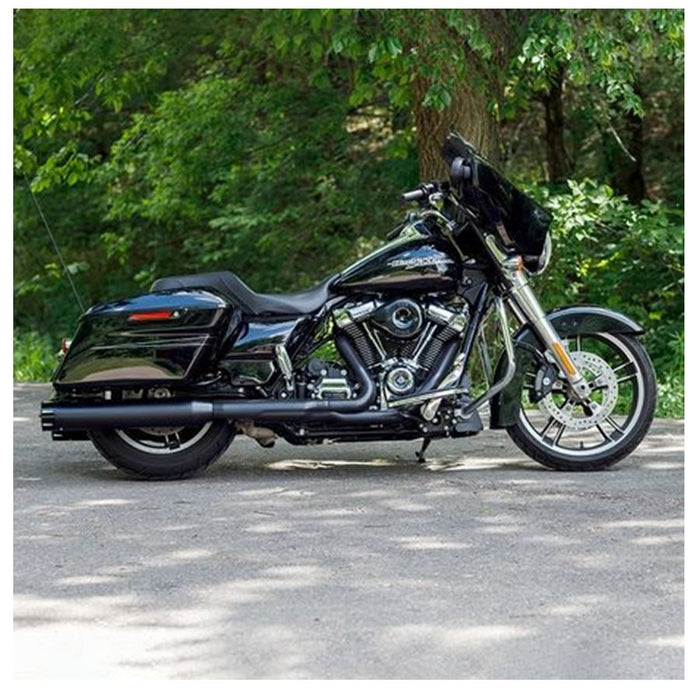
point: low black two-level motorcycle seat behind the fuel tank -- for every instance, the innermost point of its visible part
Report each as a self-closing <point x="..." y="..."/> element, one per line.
<point x="232" y="288"/>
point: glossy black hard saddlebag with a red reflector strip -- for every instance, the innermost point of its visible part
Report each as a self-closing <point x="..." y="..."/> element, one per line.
<point x="162" y="338"/>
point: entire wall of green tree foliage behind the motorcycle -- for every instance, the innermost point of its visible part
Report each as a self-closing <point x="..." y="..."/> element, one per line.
<point x="275" y="142"/>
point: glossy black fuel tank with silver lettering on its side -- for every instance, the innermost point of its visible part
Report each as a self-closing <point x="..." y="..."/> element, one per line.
<point x="416" y="260"/>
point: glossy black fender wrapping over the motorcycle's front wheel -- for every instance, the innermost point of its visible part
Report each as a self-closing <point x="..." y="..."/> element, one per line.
<point x="568" y="321"/>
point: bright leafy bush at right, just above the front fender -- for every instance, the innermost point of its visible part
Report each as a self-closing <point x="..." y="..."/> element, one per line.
<point x="630" y="258"/>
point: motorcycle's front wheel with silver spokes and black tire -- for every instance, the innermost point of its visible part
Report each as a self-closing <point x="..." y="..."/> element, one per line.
<point x="560" y="431"/>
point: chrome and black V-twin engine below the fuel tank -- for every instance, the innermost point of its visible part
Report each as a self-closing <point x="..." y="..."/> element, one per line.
<point x="400" y="342"/>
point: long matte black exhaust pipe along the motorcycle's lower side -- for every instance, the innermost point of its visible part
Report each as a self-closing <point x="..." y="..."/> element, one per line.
<point x="71" y="417"/>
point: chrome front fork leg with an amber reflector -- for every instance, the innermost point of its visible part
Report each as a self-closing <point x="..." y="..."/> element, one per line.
<point x="527" y="308"/>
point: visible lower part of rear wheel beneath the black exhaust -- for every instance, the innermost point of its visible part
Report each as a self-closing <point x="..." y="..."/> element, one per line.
<point x="164" y="453"/>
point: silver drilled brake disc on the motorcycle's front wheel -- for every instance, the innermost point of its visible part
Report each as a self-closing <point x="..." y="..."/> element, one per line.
<point x="582" y="415"/>
